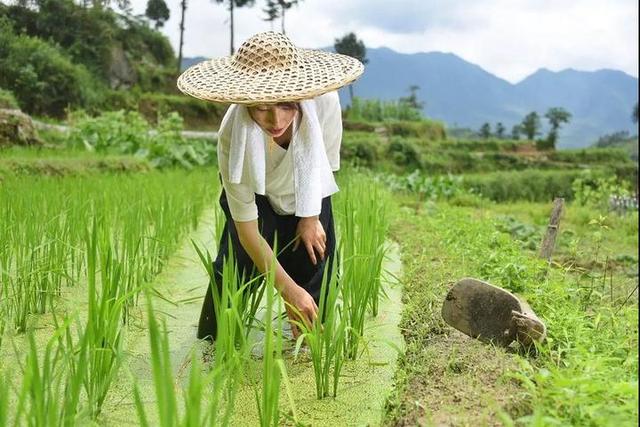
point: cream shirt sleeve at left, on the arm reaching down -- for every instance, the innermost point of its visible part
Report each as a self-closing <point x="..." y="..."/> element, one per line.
<point x="240" y="197"/>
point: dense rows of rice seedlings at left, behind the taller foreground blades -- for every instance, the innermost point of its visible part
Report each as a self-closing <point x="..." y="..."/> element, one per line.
<point x="43" y="221"/>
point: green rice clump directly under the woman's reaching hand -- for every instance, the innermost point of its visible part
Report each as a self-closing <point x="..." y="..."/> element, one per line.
<point x="326" y="337"/>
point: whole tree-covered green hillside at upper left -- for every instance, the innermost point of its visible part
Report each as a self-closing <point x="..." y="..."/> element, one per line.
<point x="62" y="55"/>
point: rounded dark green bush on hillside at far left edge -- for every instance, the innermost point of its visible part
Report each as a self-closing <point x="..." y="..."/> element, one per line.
<point x="42" y="78"/>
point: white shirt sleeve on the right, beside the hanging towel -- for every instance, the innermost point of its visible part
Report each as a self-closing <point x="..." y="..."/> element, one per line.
<point x="330" y="115"/>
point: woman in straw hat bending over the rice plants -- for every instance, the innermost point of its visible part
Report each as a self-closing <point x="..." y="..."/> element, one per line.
<point x="278" y="146"/>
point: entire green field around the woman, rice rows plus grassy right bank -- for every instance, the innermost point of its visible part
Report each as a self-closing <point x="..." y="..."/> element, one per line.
<point x="103" y="271"/>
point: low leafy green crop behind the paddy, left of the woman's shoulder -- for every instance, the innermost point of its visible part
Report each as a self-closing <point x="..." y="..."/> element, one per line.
<point x="121" y="132"/>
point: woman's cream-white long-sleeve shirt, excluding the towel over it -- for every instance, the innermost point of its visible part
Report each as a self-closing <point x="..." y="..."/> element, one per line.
<point x="279" y="179"/>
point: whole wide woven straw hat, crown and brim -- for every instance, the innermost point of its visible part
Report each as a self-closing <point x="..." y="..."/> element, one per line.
<point x="268" y="68"/>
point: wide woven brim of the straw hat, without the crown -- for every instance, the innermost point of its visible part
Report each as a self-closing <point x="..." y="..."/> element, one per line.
<point x="314" y="73"/>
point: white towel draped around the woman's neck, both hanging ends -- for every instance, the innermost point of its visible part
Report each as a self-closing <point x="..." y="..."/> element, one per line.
<point x="313" y="178"/>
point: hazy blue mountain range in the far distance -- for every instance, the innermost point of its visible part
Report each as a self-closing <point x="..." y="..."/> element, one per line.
<point x="463" y="94"/>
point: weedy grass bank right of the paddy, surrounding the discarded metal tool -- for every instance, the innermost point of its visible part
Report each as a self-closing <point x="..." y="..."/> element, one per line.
<point x="586" y="371"/>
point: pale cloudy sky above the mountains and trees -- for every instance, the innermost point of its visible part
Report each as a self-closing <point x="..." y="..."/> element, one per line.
<point x="508" y="38"/>
